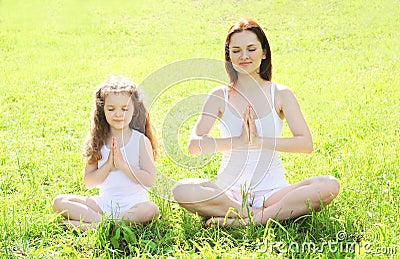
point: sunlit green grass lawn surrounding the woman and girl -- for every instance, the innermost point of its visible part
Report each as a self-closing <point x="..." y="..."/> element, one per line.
<point x="340" y="58"/>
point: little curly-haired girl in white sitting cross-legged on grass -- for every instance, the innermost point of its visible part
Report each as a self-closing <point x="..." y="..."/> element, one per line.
<point x="120" y="154"/>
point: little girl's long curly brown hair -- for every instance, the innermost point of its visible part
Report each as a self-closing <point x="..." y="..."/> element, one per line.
<point x="100" y="128"/>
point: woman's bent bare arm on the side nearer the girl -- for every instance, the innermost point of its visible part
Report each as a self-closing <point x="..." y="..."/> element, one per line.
<point x="200" y="142"/>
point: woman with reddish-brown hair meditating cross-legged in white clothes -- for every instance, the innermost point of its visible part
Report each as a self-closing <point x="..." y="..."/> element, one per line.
<point x="251" y="109"/>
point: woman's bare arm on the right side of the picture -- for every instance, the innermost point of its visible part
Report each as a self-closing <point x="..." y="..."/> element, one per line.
<point x="301" y="141"/>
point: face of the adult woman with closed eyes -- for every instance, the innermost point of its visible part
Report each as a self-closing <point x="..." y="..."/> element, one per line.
<point x="246" y="52"/>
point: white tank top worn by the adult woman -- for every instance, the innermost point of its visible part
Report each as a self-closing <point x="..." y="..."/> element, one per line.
<point x="251" y="167"/>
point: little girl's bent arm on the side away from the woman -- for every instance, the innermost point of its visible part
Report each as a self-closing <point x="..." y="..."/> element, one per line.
<point x="94" y="175"/>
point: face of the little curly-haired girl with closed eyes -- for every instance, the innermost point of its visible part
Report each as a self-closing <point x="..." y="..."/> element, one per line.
<point x="118" y="108"/>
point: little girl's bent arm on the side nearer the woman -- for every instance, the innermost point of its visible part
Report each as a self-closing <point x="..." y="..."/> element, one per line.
<point x="147" y="173"/>
